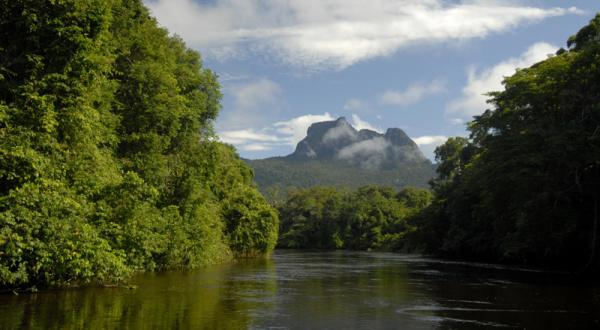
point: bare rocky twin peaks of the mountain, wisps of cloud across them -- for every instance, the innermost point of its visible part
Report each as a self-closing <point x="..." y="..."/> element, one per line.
<point x="338" y="140"/>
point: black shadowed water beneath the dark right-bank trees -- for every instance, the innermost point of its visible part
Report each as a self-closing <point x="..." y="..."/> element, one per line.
<point x="479" y="296"/>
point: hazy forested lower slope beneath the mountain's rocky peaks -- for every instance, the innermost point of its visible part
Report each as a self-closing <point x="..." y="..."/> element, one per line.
<point x="277" y="176"/>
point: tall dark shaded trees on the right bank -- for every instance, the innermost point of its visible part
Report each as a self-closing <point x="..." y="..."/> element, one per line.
<point x="525" y="187"/>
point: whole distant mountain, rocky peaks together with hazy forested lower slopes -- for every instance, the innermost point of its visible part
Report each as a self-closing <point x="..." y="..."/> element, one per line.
<point x="334" y="153"/>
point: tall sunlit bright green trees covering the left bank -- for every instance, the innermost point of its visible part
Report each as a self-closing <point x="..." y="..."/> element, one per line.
<point x="107" y="164"/>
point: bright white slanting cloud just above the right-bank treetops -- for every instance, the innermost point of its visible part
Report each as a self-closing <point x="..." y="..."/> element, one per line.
<point x="473" y="99"/>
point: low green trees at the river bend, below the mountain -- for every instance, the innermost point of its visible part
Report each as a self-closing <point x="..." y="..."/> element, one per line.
<point x="370" y="218"/>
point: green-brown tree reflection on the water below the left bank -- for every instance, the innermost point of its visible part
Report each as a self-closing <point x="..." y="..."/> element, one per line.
<point x="207" y="299"/>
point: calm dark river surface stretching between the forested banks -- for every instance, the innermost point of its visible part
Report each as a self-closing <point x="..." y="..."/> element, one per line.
<point x="319" y="290"/>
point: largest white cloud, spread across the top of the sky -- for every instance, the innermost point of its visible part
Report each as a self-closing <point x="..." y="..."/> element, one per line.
<point x="335" y="34"/>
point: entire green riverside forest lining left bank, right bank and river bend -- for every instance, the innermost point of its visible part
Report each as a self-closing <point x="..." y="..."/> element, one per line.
<point x="110" y="166"/>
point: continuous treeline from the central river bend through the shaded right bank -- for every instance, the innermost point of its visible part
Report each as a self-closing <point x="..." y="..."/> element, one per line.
<point x="523" y="188"/>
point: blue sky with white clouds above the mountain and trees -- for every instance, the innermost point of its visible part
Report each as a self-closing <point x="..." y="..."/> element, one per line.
<point x="421" y="65"/>
